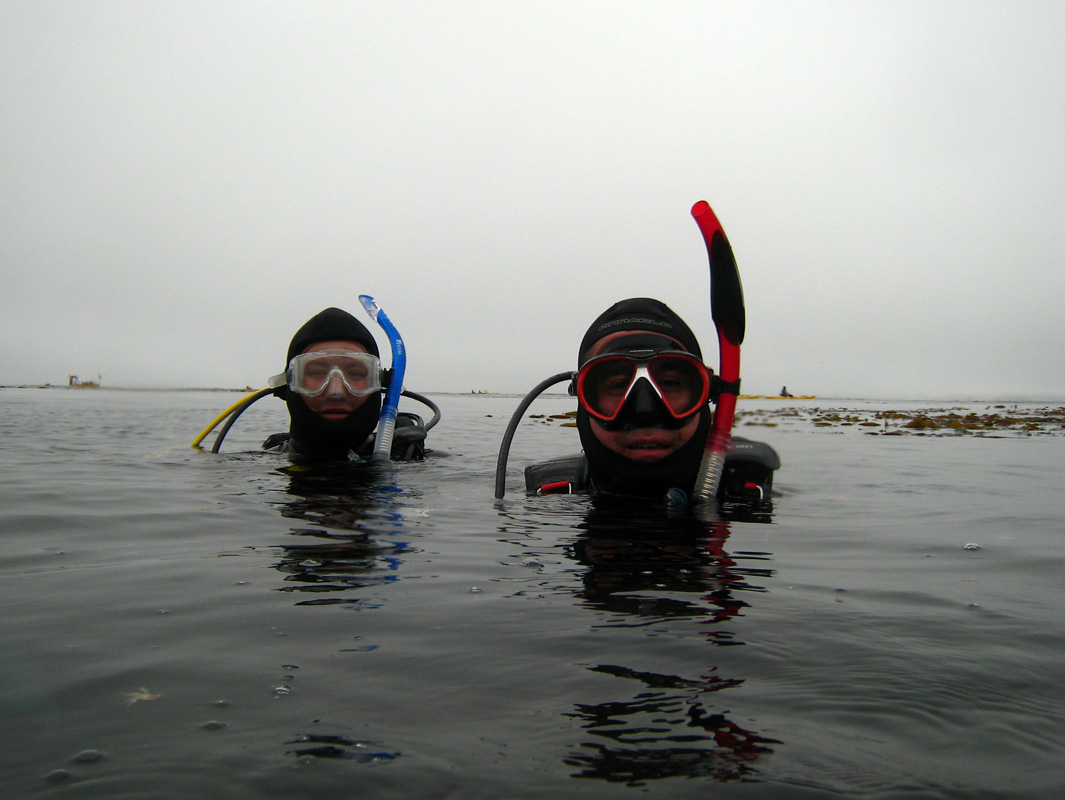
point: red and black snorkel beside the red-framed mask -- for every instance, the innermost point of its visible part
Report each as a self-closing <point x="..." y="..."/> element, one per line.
<point x="727" y="307"/>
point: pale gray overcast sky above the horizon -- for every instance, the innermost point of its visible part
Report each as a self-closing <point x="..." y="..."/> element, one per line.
<point x="185" y="184"/>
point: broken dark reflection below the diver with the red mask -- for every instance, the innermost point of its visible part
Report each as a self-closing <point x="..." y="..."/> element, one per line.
<point x="647" y="568"/>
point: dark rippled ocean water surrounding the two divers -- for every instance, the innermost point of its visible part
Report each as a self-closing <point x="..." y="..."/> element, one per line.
<point x="182" y="625"/>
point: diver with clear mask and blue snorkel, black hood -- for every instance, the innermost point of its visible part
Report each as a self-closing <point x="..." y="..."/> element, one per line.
<point x="333" y="385"/>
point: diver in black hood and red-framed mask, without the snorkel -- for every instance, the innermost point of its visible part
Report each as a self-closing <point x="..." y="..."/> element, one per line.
<point x="644" y="416"/>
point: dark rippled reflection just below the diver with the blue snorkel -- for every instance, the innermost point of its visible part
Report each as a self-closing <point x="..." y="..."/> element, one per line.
<point x="352" y="534"/>
